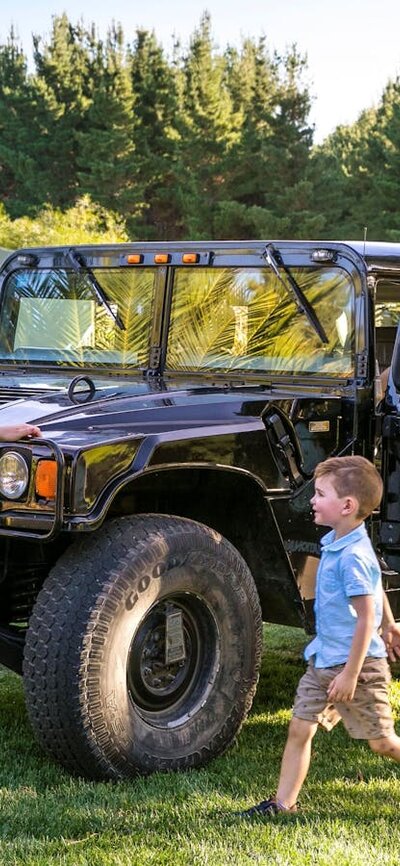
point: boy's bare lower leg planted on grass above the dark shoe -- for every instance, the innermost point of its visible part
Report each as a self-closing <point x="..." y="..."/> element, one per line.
<point x="295" y="761"/>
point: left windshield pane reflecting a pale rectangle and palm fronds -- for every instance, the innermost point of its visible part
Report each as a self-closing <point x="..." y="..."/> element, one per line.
<point x="55" y="316"/>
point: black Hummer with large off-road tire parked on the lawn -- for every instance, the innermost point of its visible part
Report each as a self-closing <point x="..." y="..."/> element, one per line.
<point x="185" y="393"/>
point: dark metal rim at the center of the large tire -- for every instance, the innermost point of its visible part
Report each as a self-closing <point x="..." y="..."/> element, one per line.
<point x="167" y="690"/>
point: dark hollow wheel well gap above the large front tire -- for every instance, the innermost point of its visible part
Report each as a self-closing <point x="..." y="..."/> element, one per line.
<point x="235" y="504"/>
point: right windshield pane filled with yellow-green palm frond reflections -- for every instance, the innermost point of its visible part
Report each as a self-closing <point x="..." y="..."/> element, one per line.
<point x="242" y="318"/>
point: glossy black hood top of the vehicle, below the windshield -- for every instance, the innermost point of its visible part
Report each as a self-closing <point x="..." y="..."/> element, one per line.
<point x="136" y="408"/>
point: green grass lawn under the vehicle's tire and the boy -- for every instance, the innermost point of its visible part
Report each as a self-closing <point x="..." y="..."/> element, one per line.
<point x="350" y="803"/>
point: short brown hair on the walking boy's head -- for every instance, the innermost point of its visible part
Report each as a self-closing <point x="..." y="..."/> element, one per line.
<point x="354" y="476"/>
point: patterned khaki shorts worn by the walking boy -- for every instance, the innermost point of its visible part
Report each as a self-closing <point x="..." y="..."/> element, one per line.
<point x="367" y="717"/>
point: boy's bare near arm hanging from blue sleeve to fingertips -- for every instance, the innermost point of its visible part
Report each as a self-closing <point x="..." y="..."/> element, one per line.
<point x="343" y="686"/>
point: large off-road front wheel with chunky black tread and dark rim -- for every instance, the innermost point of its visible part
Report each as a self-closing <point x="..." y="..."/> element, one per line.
<point x="143" y="649"/>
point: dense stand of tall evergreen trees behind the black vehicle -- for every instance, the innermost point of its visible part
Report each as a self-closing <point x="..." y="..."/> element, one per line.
<point x="116" y="139"/>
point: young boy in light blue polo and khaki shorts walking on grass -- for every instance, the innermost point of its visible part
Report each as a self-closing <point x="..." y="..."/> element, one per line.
<point x="348" y="674"/>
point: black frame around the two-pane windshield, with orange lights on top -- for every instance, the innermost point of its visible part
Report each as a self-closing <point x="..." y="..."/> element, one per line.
<point x="244" y="253"/>
